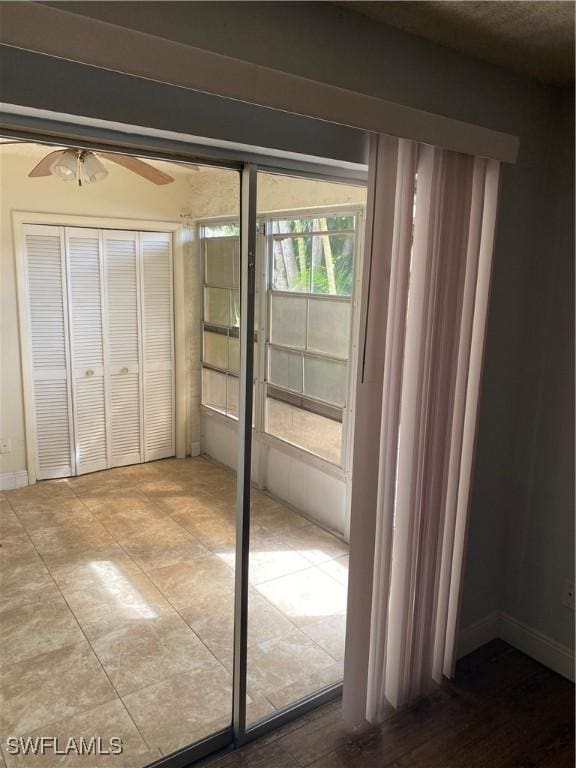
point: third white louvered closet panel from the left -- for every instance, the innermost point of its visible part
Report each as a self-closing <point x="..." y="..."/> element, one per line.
<point x="122" y="310"/>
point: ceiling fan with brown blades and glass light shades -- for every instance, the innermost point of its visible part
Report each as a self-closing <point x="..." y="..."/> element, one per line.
<point x="85" y="166"/>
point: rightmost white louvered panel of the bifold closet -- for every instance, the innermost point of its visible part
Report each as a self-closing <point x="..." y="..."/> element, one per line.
<point x="158" y="345"/>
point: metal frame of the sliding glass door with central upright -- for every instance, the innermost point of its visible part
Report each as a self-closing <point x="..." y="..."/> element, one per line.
<point x="44" y="131"/>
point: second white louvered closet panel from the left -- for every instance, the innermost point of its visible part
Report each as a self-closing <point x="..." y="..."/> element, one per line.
<point x="87" y="348"/>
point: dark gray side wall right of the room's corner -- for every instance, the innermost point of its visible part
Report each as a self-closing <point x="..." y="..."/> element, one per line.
<point x="539" y="526"/>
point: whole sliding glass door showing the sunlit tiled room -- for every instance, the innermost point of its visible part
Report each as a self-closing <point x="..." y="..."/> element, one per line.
<point x="192" y="514"/>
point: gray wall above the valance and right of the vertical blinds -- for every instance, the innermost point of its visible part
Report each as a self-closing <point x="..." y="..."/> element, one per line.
<point x="522" y="506"/>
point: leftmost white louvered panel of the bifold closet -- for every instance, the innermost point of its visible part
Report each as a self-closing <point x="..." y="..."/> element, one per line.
<point x="48" y="339"/>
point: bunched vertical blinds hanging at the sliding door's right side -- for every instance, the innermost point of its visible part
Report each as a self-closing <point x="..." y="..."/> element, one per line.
<point x="437" y="290"/>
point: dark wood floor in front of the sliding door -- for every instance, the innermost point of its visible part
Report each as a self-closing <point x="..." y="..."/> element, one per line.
<point x="504" y="710"/>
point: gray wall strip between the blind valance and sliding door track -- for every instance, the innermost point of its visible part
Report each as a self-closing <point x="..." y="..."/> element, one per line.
<point x="46" y="82"/>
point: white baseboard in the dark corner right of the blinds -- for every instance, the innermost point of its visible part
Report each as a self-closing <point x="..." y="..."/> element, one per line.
<point x="498" y="624"/>
